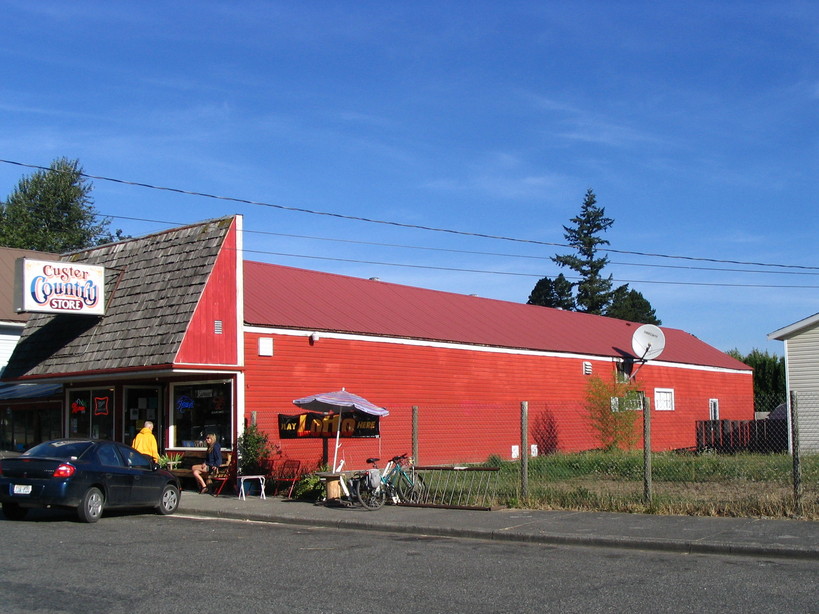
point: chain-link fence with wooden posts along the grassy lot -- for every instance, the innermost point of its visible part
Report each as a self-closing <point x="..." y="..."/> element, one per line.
<point x="708" y="457"/>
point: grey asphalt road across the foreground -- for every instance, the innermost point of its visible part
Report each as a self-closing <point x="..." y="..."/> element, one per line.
<point x="145" y="563"/>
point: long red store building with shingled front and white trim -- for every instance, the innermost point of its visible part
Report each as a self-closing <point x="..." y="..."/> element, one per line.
<point x="197" y="339"/>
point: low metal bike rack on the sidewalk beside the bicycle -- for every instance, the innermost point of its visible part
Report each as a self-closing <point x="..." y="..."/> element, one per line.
<point x="467" y="488"/>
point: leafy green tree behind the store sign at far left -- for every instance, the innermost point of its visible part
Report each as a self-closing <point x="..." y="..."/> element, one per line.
<point x="52" y="211"/>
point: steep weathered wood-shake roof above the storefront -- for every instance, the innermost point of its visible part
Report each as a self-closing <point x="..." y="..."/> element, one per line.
<point x="152" y="287"/>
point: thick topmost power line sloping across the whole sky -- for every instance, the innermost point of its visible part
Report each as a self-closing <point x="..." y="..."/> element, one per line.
<point x="405" y="225"/>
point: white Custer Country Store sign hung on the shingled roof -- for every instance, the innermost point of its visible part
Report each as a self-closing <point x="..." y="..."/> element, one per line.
<point x="59" y="287"/>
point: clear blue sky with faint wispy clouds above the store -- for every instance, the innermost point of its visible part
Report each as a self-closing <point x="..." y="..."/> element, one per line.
<point x="695" y="124"/>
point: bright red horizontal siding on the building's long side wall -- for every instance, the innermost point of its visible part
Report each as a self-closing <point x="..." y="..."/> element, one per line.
<point x="464" y="381"/>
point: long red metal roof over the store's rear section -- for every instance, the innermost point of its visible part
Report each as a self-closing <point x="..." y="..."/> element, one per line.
<point x="287" y="297"/>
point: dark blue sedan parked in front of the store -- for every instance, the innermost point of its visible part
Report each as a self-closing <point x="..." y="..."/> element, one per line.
<point x="85" y="474"/>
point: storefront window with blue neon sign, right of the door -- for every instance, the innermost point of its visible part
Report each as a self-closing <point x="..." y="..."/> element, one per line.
<point x="199" y="409"/>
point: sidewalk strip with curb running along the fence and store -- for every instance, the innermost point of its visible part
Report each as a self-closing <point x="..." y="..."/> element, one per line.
<point x="738" y="536"/>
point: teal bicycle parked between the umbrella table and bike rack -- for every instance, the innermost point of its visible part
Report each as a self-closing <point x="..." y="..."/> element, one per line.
<point x="396" y="483"/>
